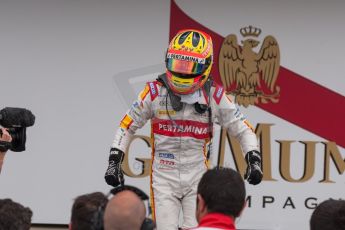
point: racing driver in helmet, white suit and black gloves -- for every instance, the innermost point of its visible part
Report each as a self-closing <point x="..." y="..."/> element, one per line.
<point x="182" y="104"/>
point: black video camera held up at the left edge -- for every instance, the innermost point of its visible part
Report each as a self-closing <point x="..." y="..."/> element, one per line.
<point x="16" y="120"/>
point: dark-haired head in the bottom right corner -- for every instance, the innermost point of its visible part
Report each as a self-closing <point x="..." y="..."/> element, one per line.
<point x="329" y="215"/>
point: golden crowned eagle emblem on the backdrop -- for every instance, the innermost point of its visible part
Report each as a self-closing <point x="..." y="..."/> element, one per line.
<point x="250" y="76"/>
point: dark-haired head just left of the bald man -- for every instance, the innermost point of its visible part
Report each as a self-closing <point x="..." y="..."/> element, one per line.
<point x="87" y="212"/>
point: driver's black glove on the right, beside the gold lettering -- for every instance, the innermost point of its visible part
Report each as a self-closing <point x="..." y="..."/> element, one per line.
<point x="253" y="172"/>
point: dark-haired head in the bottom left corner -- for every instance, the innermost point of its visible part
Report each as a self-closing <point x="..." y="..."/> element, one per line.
<point x="14" y="216"/>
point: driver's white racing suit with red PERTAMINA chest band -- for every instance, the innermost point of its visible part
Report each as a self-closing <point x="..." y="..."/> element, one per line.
<point x="179" y="147"/>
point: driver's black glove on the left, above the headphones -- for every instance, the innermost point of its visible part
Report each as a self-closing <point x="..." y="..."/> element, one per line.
<point x="114" y="175"/>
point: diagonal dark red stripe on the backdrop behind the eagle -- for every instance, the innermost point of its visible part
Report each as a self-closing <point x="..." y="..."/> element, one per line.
<point x="301" y="102"/>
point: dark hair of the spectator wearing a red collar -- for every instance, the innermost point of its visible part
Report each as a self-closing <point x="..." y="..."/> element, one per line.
<point x="223" y="191"/>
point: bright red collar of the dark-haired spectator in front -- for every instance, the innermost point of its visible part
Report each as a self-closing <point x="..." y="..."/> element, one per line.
<point x="217" y="221"/>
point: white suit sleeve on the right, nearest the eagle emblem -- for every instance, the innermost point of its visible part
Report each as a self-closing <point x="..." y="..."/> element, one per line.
<point x="230" y="117"/>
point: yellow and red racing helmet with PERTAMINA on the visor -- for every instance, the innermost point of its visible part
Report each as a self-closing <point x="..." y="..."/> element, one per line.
<point x="189" y="61"/>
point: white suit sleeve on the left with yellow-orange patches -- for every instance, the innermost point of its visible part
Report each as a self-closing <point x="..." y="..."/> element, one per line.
<point x="135" y="118"/>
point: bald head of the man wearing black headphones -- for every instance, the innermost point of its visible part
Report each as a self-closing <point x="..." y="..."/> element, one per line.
<point x="125" y="210"/>
